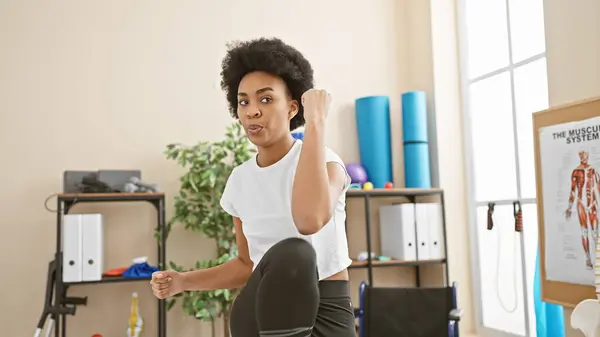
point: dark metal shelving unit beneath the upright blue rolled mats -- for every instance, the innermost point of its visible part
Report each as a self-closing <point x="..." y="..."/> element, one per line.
<point x="412" y="194"/>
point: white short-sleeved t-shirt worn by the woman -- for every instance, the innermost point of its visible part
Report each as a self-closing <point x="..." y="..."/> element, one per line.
<point x="262" y="198"/>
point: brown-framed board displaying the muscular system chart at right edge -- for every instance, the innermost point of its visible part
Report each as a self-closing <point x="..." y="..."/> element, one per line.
<point x="564" y="293"/>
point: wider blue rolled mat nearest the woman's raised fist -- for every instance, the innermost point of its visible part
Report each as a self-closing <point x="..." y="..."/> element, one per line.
<point x="374" y="139"/>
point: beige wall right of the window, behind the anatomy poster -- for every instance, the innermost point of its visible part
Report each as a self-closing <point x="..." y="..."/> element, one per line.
<point x="573" y="52"/>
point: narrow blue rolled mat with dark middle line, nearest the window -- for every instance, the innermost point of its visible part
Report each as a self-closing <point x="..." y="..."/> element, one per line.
<point x="416" y="143"/>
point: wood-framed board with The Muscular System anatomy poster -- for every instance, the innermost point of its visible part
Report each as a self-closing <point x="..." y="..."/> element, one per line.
<point x="560" y="239"/>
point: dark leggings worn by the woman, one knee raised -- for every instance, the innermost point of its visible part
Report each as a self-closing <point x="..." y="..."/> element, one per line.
<point x="283" y="297"/>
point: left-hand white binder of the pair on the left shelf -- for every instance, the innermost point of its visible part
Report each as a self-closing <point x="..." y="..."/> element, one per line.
<point x="72" y="248"/>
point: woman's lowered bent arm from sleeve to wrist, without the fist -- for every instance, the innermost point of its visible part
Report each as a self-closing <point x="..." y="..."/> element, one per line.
<point x="231" y="274"/>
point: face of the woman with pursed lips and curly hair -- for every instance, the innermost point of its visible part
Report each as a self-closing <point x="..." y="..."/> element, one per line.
<point x="265" y="108"/>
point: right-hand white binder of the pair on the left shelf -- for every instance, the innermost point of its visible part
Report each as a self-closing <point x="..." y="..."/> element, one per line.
<point x="92" y="239"/>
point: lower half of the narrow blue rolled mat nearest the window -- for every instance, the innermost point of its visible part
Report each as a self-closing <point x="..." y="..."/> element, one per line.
<point x="416" y="165"/>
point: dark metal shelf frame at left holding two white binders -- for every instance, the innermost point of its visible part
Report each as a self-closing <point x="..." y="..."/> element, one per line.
<point x="57" y="304"/>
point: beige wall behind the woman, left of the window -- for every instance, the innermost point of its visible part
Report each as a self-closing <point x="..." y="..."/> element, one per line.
<point x="106" y="85"/>
